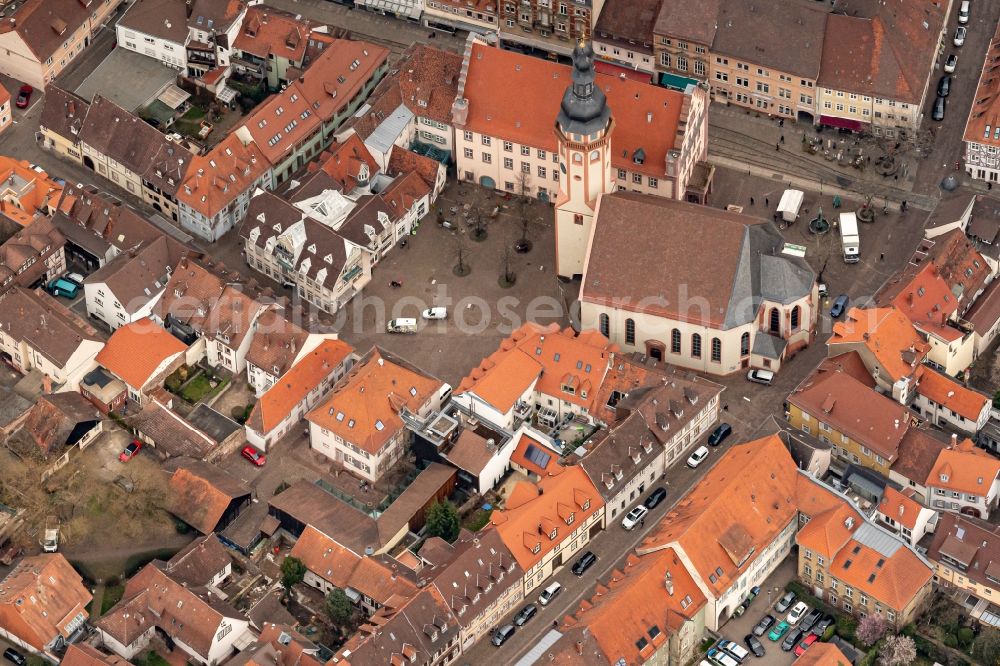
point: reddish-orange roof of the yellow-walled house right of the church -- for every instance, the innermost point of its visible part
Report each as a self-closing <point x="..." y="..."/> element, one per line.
<point x="850" y="407"/>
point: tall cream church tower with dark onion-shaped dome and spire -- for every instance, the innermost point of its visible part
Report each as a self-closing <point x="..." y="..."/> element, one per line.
<point x="583" y="131"/>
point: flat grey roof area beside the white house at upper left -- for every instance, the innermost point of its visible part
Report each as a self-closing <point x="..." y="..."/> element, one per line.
<point x="146" y="77"/>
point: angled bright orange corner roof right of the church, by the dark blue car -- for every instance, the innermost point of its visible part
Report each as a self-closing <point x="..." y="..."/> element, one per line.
<point x="888" y="335"/>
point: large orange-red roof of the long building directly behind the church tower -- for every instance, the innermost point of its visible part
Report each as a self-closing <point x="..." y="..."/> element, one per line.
<point x="514" y="97"/>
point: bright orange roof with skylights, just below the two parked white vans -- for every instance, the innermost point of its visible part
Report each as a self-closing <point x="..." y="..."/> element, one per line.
<point x="364" y="408"/>
